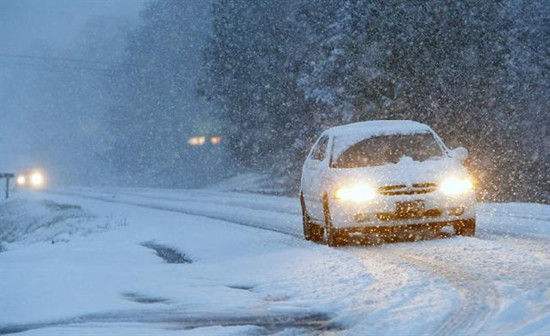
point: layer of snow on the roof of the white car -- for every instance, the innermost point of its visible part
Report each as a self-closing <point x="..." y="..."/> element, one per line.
<point x="350" y="134"/>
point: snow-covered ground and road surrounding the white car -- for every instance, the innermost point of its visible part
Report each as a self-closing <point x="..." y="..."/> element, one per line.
<point x="208" y="262"/>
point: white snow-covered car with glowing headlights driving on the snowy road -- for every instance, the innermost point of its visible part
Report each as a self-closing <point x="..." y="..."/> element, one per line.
<point x="384" y="178"/>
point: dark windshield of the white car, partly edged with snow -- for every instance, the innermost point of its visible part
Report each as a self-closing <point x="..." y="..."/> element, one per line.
<point x="386" y="149"/>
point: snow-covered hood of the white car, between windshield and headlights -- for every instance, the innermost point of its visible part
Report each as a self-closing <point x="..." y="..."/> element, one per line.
<point x="406" y="171"/>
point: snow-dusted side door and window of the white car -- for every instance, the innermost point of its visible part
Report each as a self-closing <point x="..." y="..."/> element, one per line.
<point x="315" y="168"/>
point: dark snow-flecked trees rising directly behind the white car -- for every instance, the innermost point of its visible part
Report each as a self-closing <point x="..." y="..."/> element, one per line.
<point x="477" y="71"/>
